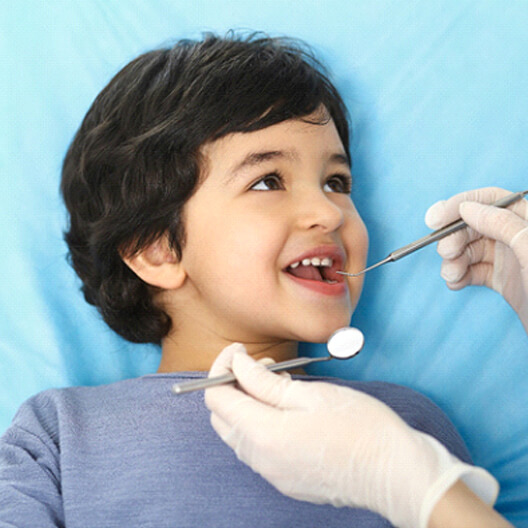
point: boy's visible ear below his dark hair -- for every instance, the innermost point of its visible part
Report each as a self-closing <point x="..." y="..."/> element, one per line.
<point x="157" y="265"/>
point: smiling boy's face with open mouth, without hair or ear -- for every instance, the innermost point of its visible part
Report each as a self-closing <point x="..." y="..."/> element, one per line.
<point x="271" y="198"/>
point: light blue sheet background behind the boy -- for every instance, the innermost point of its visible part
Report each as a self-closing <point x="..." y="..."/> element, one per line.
<point x="437" y="92"/>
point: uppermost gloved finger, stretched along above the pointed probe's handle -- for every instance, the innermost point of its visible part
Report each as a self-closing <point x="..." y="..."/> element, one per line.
<point x="446" y="211"/>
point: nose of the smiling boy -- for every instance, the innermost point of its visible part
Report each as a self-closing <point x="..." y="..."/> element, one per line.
<point x="316" y="210"/>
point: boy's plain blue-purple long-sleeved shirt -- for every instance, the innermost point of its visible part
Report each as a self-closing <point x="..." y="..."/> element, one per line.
<point x="133" y="454"/>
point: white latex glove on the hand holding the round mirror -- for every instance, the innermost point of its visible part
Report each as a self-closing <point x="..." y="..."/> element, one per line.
<point x="324" y="443"/>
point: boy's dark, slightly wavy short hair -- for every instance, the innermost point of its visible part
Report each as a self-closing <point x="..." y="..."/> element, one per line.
<point x="135" y="160"/>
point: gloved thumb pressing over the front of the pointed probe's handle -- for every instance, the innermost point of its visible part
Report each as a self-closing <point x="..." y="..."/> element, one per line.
<point x="499" y="224"/>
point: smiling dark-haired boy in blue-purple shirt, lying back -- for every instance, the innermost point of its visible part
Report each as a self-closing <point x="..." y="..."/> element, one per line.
<point x="208" y="191"/>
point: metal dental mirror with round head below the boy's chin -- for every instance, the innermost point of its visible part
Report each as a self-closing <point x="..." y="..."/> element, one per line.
<point x="344" y="343"/>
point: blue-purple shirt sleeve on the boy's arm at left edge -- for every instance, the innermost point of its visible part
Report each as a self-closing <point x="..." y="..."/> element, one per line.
<point x="30" y="490"/>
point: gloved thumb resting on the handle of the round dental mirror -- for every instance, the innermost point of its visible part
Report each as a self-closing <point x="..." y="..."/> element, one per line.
<point x="260" y="383"/>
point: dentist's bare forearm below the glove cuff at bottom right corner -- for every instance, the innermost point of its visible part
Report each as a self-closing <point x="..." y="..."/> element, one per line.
<point x="461" y="508"/>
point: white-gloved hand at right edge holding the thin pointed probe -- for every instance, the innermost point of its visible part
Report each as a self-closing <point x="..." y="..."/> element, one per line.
<point x="493" y="252"/>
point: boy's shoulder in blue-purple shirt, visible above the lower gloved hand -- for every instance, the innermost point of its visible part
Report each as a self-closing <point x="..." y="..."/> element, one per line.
<point x="417" y="410"/>
